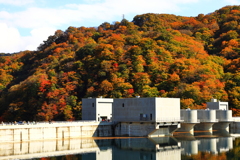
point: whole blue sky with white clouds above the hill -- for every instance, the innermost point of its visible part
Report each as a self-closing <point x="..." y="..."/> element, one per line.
<point x="25" y="24"/>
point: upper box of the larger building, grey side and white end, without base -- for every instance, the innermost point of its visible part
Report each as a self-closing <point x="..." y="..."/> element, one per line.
<point x="146" y="109"/>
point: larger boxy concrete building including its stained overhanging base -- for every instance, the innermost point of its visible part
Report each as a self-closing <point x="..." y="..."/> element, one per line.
<point x="152" y="117"/>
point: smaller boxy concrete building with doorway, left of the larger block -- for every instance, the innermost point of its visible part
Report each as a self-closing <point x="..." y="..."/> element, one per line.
<point x="99" y="109"/>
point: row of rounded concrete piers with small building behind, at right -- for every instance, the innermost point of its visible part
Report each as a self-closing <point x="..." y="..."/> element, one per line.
<point x="216" y="116"/>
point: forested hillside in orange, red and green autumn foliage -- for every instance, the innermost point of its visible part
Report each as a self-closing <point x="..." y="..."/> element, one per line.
<point x="155" y="55"/>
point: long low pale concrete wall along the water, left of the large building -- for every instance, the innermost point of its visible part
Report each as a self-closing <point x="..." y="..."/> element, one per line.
<point x="46" y="131"/>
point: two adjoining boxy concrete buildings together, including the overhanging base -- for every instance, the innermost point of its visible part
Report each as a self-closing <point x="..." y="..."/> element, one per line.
<point x="135" y="116"/>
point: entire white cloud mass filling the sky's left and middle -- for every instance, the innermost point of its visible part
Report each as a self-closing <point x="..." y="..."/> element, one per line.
<point x="43" y="21"/>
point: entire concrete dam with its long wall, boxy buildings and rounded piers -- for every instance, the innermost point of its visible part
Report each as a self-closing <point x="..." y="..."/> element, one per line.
<point x="135" y="117"/>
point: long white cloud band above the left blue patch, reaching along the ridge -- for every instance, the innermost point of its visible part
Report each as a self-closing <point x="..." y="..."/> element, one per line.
<point x="100" y="11"/>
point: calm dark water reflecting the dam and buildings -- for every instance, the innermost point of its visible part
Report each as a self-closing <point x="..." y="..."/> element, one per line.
<point x="203" y="145"/>
